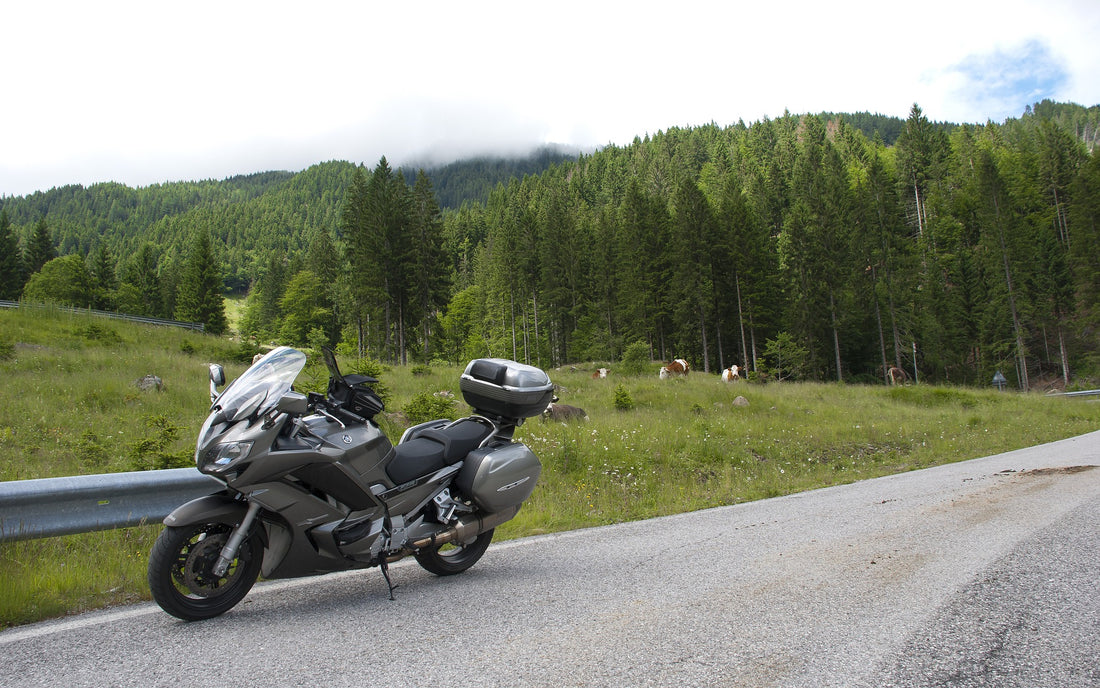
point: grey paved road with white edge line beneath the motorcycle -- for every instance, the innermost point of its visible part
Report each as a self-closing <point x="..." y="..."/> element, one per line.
<point x="976" y="574"/>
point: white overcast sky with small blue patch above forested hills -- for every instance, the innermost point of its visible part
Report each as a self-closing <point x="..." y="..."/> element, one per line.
<point x="147" y="92"/>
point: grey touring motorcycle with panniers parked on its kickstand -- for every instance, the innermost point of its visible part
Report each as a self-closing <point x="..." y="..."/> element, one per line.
<point x="313" y="485"/>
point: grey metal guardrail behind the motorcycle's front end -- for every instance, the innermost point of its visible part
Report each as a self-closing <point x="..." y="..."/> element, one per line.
<point x="51" y="507"/>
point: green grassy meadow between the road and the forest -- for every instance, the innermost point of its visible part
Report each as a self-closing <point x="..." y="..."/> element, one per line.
<point x="70" y="406"/>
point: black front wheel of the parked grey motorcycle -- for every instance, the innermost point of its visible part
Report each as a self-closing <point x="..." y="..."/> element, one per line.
<point x="181" y="571"/>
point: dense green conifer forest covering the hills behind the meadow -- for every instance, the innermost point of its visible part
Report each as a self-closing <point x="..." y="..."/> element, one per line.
<point x="815" y="247"/>
